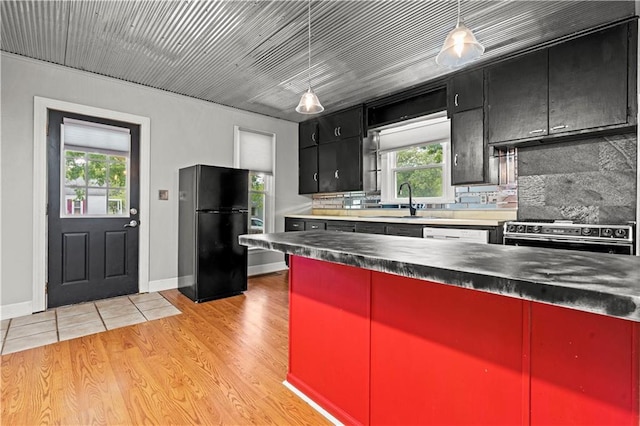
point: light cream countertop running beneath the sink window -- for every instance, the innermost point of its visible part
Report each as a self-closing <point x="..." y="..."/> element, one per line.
<point x="419" y="220"/>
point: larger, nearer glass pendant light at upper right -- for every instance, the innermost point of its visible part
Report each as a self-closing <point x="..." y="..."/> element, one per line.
<point x="460" y="47"/>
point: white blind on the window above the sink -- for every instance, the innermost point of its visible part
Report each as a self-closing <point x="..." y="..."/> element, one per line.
<point x="433" y="129"/>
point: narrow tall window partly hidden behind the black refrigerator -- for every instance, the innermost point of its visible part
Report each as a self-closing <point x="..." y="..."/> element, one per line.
<point x="255" y="151"/>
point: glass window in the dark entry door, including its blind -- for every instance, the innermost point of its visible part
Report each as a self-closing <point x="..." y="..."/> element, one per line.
<point x="94" y="181"/>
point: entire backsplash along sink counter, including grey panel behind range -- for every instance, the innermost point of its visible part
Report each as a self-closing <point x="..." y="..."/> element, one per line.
<point x="588" y="181"/>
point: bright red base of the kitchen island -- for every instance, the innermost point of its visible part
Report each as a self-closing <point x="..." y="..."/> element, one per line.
<point x="376" y="348"/>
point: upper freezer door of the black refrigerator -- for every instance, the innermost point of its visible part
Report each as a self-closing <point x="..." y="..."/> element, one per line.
<point x="222" y="188"/>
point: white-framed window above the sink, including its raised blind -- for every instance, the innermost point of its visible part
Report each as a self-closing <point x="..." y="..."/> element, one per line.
<point x="418" y="153"/>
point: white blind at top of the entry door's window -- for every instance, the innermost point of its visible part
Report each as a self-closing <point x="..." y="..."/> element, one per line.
<point x="93" y="135"/>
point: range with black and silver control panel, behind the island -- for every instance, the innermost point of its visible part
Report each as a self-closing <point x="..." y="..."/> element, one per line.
<point x="616" y="239"/>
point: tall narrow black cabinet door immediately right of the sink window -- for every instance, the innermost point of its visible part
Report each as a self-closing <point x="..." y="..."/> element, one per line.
<point x="467" y="148"/>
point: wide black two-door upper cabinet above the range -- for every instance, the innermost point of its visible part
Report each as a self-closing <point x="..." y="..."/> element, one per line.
<point x="583" y="85"/>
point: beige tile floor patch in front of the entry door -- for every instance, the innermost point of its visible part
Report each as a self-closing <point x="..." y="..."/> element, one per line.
<point x="69" y="322"/>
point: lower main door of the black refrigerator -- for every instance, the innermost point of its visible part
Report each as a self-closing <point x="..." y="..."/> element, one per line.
<point x="222" y="261"/>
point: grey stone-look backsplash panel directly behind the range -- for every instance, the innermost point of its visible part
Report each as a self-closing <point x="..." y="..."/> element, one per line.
<point x="588" y="181"/>
